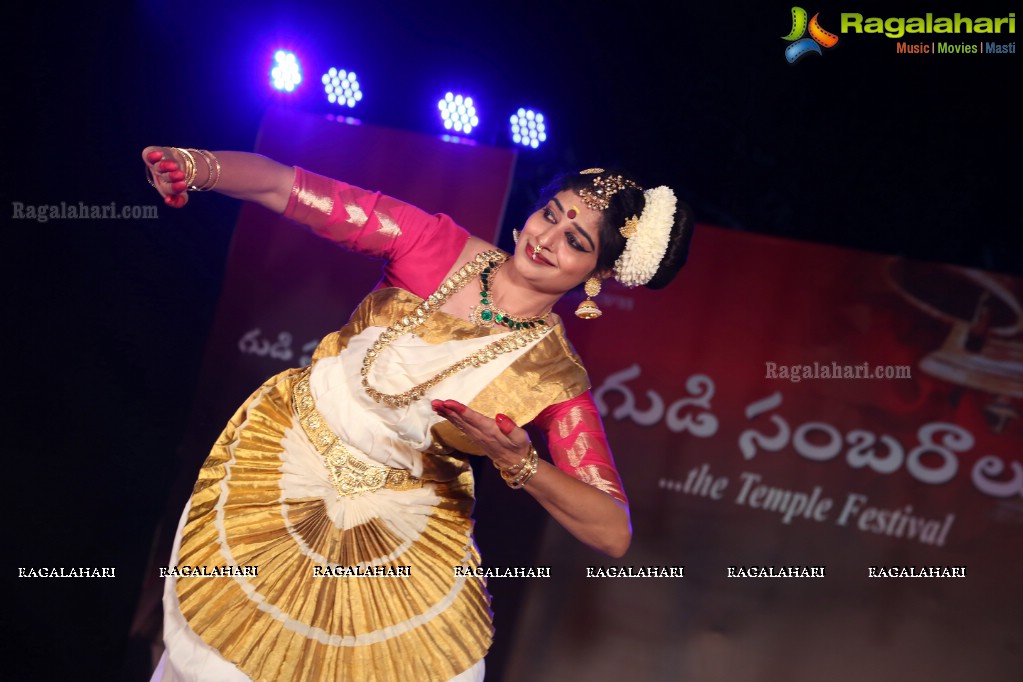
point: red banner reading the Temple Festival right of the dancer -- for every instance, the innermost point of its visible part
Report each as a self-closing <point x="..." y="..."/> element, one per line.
<point x="823" y="452"/>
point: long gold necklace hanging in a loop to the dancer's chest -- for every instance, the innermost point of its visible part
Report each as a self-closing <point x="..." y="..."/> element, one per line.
<point x="409" y="324"/>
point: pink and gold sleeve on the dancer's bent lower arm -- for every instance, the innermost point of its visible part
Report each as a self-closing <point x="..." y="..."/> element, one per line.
<point x="579" y="444"/>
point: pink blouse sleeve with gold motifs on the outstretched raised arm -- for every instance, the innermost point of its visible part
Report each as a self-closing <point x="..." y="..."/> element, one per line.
<point x="420" y="249"/>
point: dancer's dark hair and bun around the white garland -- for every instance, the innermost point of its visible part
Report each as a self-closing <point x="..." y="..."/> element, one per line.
<point x="627" y="203"/>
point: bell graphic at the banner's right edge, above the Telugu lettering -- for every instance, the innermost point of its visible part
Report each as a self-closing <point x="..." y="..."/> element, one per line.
<point x="985" y="348"/>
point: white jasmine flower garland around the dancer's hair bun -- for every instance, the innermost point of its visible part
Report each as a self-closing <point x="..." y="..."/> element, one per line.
<point x="644" y="251"/>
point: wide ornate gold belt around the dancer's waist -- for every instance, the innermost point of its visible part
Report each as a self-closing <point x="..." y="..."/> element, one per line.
<point x="350" y="476"/>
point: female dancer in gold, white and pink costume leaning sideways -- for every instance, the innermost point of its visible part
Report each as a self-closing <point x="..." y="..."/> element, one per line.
<point x="336" y="509"/>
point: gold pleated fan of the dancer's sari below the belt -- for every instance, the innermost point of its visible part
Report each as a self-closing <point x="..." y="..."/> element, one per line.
<point x="284" y="623"/>
